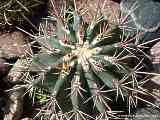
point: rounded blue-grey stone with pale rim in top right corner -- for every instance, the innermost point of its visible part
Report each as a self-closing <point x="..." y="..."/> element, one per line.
<point x="145" y="13"/>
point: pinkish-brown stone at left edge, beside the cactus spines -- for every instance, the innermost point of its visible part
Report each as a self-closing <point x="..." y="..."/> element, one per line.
<point x="14" y="45"/>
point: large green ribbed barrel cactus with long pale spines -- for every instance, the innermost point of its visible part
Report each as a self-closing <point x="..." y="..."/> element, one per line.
<point x="87" y="67"/>
